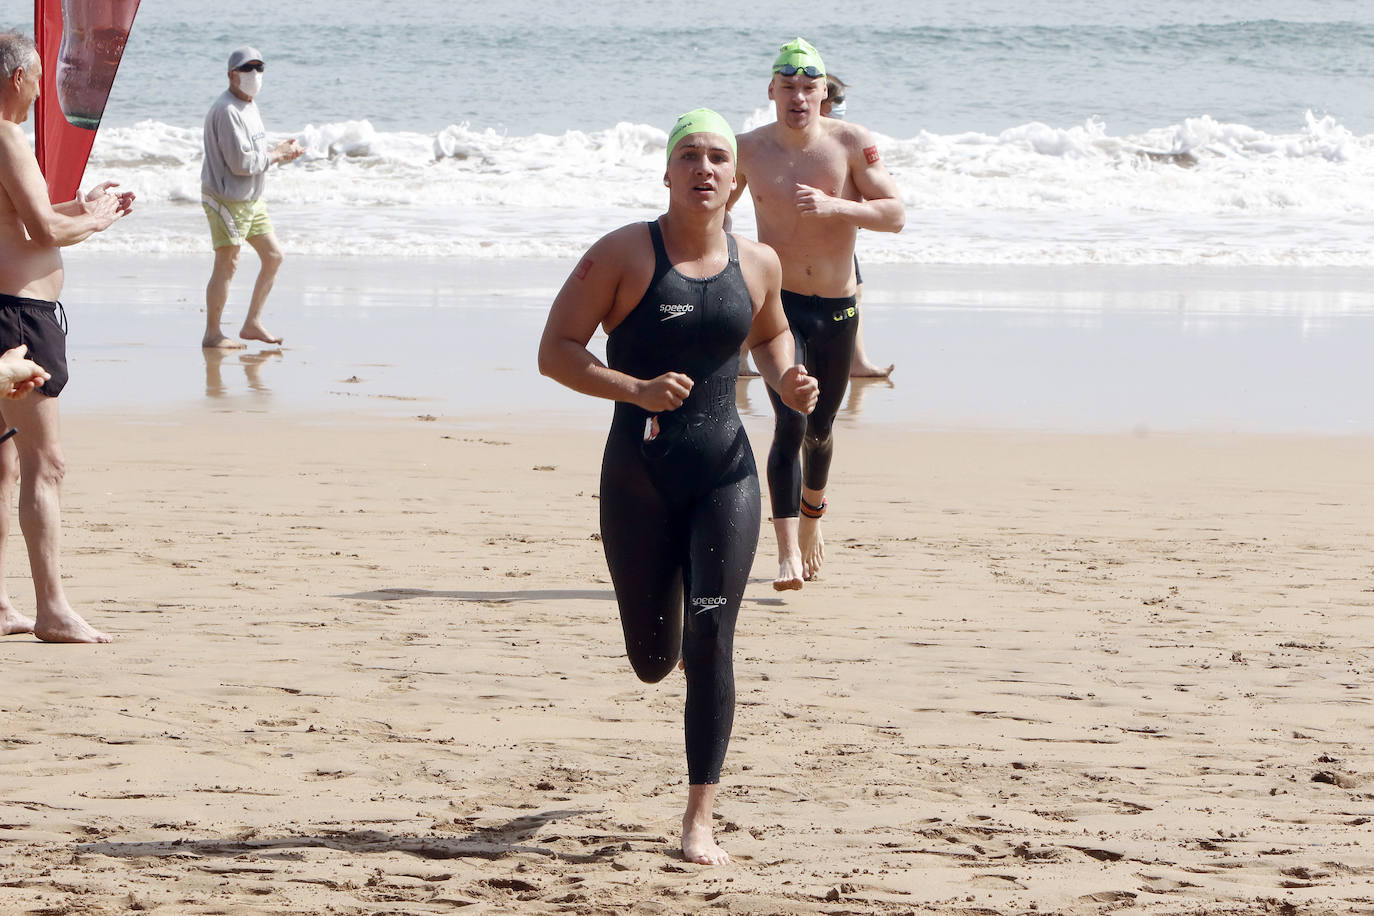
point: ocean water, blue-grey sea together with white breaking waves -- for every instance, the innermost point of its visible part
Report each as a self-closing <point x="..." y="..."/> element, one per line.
<point x="1233" y="133"/>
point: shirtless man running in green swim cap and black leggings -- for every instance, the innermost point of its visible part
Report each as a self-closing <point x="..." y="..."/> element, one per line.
<point x="815" y="183"/>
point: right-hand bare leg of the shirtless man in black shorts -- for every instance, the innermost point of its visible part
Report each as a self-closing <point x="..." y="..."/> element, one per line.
<point x="41" y="517"/>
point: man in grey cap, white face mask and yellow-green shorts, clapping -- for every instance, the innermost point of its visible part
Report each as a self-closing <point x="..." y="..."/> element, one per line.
<point x="237" y="159"/>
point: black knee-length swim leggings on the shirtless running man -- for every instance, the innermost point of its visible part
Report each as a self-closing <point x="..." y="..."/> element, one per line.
<point x="824" y="333"/>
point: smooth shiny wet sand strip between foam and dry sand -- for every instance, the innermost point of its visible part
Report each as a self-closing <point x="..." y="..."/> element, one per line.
<point x="1094" y="350"/>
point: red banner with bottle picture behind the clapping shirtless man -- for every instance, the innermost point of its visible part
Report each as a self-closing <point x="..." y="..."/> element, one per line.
<point x="80" y="43"/>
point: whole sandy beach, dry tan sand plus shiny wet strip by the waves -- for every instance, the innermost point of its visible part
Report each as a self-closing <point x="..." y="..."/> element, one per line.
<point x="368" y="659"/>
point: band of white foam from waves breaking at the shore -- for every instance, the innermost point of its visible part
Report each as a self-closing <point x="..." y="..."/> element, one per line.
<point x="1193" y="193"/>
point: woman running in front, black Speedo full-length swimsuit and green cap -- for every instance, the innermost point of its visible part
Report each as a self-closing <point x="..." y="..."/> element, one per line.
<point x="679" y="492"/>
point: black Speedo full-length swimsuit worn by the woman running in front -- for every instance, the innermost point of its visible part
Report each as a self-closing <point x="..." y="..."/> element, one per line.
<point x="679" y="496"/>
